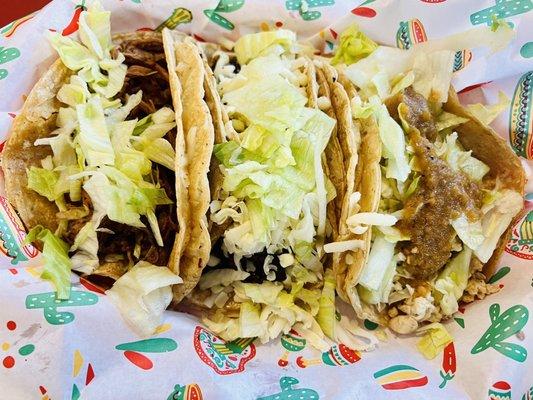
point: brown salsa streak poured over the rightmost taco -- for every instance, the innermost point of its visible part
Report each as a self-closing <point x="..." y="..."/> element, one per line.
<point x="442" y="195"/>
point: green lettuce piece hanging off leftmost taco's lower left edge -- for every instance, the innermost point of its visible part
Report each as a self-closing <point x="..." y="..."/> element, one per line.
<point x="57" y="264"/>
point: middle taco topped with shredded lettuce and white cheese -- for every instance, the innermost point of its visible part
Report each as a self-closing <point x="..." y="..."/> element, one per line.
<point x="270" y="191"/>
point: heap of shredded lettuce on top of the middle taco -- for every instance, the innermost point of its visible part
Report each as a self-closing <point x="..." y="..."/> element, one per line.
<point x="273" y="171"/>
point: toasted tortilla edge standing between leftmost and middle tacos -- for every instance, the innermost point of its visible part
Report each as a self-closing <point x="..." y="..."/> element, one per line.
<point x="190" y="78"/>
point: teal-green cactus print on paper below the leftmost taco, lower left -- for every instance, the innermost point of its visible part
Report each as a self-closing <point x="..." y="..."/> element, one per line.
<point x="48" y="302"/>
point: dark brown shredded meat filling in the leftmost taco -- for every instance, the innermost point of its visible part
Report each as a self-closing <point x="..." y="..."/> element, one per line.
<point x="147" y="72"/>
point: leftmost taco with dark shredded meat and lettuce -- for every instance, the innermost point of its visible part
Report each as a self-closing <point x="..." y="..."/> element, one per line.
<point x="94" y="167"/>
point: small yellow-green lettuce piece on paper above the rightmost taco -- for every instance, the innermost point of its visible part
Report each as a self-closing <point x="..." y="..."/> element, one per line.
<point x="354" y="45"/>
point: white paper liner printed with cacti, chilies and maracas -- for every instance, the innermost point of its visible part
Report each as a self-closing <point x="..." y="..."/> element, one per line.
<point x="81" y="348"/>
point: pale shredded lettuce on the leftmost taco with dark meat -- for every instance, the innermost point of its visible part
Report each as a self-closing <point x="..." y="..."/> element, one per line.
<point x="95" y="148"/>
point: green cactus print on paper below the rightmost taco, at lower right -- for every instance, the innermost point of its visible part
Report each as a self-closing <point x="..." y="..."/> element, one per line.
<point x="502" y="327"/>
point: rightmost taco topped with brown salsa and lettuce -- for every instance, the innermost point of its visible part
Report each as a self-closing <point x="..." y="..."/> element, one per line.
<point x="437" y="190"/>
